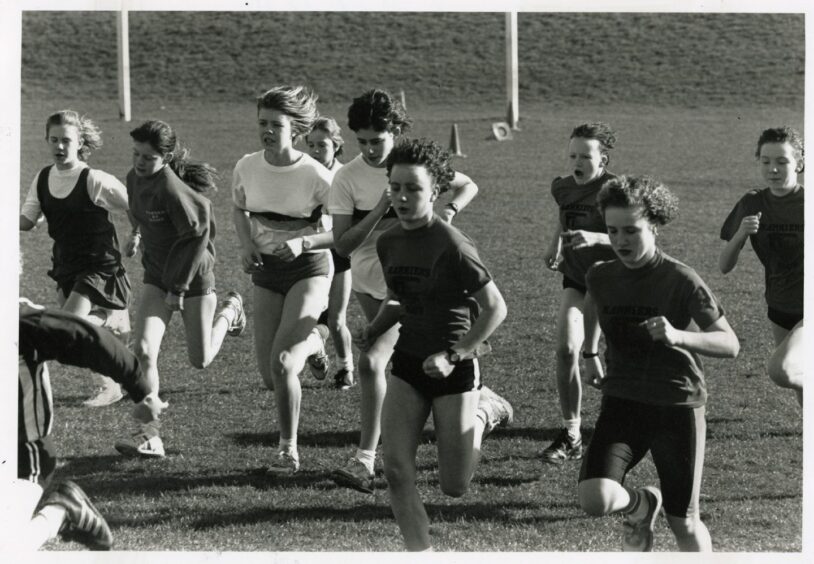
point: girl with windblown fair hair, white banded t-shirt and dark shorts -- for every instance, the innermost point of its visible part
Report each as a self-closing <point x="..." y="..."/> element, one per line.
<point x="279" y="194"/>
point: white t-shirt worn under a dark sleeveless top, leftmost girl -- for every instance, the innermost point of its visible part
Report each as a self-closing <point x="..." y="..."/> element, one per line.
<point x="104" y="190"/>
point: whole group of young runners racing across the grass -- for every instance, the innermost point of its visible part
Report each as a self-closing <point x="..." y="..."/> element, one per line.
<point x="312" y="231"/>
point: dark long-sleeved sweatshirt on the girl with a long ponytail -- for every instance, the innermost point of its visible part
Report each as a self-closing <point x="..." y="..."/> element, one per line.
<point x="177" y="228"/>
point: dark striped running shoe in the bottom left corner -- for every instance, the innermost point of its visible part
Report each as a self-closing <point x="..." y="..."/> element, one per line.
<point x="83" y="523"/>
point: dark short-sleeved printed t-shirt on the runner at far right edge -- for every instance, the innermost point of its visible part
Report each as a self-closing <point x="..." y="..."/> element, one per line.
<point x="778" y="243"/>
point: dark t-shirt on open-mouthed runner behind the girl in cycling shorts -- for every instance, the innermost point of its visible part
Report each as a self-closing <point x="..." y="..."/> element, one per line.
<point x="578" y="211"/>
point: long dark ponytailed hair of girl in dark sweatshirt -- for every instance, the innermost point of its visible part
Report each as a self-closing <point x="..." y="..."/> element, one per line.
<point x="201" y="177"/>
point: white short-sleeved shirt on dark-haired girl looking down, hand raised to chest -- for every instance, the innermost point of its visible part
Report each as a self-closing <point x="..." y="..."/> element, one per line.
<point x="356" y="189"/>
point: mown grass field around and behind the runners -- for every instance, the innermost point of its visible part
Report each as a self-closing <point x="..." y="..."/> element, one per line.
<point x="694" y="128"/>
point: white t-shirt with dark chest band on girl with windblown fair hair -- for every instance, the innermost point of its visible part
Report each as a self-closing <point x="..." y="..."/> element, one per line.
<point x="294" y="190"/>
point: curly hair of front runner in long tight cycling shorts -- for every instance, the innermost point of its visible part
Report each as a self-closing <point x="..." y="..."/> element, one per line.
<point x="660" y="205"/>
